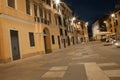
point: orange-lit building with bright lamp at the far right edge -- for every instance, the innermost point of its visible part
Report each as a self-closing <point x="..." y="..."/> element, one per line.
<point x="113" y="24"/>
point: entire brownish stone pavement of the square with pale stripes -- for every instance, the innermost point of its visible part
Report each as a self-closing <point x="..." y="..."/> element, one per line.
<point x="91" y="61"/>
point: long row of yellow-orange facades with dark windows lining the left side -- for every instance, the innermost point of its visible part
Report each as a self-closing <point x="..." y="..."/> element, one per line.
<point x="35" y="27"/>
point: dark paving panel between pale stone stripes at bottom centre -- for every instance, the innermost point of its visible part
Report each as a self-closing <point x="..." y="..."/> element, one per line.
<point x="75" y="72"/>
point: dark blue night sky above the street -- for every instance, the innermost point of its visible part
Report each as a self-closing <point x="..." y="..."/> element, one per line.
<point x="90" y="10"/>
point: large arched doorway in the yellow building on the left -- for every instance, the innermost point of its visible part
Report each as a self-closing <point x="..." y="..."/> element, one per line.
<point x="47" y="41"/>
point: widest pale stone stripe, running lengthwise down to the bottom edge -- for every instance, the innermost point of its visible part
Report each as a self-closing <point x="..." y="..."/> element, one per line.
<point x="94" y="72"/>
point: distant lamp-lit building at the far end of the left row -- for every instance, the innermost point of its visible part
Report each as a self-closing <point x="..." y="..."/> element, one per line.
<point x="80" y="31"/>
